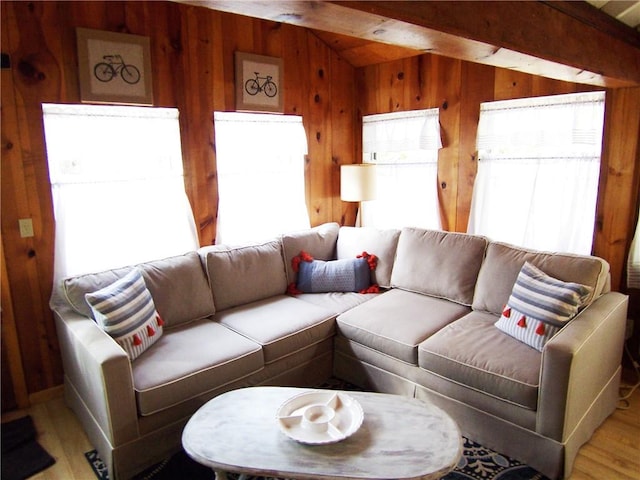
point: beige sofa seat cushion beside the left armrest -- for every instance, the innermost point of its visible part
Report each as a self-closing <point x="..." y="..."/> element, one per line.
<point x="190" y="360"/>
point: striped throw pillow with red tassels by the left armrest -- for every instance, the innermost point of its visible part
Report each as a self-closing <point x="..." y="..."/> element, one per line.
<point x="125" y="310"/>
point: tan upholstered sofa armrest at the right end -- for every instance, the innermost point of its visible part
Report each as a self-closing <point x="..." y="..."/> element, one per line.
<point x="579" y="363"/>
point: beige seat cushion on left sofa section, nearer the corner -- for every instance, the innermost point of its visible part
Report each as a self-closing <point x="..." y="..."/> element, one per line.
<point x="282" y="325"/>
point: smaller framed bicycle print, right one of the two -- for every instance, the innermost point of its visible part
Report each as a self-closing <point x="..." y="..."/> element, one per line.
<point x="258" y="83"/>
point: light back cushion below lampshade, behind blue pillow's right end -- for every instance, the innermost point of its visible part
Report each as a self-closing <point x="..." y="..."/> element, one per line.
<point x="352" y="241"/>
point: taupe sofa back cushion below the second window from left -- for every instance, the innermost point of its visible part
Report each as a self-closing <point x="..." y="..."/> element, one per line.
<point x="240" y="275"/>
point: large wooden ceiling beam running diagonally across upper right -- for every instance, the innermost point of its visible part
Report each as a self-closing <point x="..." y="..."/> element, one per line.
<point x="528" y="36"/>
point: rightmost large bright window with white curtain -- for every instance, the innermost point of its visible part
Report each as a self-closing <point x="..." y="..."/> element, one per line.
<point x="538" y="171"/>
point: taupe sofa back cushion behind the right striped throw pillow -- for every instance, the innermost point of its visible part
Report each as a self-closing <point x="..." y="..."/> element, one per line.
<point x="503" y="263"/>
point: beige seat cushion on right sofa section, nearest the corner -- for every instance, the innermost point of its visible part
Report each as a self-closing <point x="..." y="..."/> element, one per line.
<point x="396" y="322"/>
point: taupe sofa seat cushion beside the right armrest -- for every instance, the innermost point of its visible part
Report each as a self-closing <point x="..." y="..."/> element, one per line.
<point x="472" y="352"/>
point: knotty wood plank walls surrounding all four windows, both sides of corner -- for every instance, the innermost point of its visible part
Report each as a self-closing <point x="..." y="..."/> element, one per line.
<point x="192" y="54"/>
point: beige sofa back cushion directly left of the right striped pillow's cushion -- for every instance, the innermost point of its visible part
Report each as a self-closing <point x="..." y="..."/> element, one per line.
<point x="440" y="264"/>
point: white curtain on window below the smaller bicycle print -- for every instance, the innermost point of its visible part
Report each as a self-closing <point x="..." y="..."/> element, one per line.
<point x="261" y="184"/>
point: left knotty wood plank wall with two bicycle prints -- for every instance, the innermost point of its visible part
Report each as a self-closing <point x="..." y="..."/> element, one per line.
<point x="192" y="51"/>
